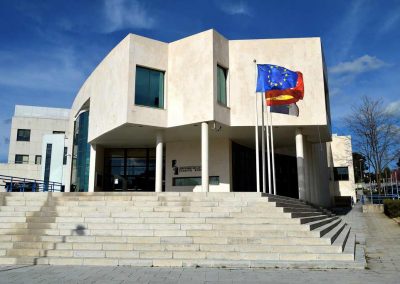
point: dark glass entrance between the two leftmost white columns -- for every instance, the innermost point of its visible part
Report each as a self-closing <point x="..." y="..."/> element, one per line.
<point x="129" y="169"/>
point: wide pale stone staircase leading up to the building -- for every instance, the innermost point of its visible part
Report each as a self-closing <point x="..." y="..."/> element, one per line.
<point x="171" y="229"/>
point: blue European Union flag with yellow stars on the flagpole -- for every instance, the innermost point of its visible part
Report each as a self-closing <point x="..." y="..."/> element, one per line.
<point x="273" y="77"/>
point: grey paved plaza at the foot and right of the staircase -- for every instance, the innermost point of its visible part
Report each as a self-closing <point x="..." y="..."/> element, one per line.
<point x="379" y="235"/>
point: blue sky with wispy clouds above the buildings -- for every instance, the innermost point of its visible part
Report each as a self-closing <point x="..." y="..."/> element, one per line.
<point x="49" y="47"/>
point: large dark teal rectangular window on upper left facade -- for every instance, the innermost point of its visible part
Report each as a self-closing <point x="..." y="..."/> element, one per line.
<point x="149" y="89"/>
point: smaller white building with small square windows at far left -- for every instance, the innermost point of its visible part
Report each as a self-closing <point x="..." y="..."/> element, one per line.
<point x="32" y="129"/>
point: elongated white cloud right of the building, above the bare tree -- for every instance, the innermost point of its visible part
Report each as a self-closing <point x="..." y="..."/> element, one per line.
<point x="359" y="65"/>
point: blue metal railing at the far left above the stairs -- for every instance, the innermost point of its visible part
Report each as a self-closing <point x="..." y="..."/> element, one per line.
<point x="18" y="184"/>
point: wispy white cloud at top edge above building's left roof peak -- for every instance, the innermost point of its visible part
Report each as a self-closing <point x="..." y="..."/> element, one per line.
<point x="123" y="14"/>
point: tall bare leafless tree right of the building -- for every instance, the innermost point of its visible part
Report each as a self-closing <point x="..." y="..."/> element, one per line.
<point x="376" y="134"/>
